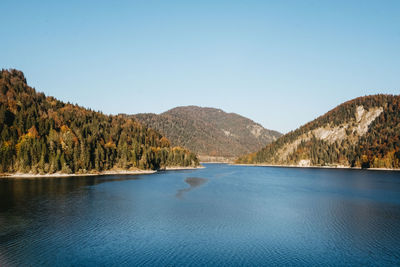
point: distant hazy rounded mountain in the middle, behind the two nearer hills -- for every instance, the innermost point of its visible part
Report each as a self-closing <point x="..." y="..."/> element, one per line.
<point x="209" y="132"/>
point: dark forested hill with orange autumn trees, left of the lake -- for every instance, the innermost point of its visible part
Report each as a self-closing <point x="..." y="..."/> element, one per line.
<point x="40" y="134"/>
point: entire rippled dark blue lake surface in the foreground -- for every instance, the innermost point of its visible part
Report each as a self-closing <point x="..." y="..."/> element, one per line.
<point x="220" y="215"/>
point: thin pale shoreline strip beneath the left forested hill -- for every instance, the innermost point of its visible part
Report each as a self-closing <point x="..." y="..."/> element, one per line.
<point x="109" y="172"/>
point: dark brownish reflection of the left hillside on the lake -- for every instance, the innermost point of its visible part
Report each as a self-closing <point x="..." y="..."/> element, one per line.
<point x="20" y="198"/>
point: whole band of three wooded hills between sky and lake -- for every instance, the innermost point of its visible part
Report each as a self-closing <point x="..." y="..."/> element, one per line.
<point x="41" y="135"/>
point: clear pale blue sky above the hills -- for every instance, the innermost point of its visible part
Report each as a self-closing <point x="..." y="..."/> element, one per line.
<point x="280" y="63"/>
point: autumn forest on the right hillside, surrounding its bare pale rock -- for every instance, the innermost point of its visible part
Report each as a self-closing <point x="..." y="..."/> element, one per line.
<point x="378" y="148"/>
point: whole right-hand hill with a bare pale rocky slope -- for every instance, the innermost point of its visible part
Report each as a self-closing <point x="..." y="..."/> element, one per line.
<point x="363" y="132"/>
